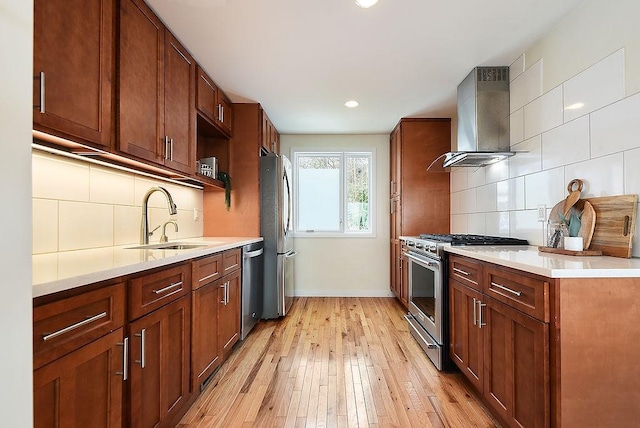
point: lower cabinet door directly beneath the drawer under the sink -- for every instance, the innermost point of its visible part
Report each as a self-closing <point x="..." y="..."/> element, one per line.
<point x="160" y="345"/>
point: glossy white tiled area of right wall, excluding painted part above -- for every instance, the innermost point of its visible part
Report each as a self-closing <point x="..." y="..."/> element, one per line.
<point x="584" y="128"/>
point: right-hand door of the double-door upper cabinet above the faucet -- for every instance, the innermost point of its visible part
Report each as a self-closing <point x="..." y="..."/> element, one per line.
<point x="179" y="106"/>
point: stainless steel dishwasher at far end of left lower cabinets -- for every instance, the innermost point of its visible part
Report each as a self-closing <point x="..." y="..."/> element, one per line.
<point x="252" y="286"/>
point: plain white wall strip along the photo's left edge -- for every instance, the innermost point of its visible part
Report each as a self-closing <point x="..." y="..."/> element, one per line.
<point x="16" y="45"/>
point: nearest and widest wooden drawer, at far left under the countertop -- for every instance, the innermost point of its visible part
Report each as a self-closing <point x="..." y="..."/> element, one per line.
<point x="65" y="325"/>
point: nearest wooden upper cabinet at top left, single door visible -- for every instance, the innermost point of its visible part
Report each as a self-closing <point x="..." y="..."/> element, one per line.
<point x="74" y="43"/>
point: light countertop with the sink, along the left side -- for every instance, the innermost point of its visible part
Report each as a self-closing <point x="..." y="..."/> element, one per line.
<point x="54" y="272"/>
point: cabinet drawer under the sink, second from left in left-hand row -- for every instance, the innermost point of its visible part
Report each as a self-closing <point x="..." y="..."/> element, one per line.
<point x="150" y="292"/>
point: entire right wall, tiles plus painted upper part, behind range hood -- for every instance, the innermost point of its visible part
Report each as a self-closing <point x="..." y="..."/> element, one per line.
<point x="591" y="57"/>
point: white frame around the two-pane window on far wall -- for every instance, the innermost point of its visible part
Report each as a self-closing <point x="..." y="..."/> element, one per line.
<point x="369" y="152"/>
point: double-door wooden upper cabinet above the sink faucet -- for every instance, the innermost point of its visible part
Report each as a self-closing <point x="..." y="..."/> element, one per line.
<point x="157" y="91"/>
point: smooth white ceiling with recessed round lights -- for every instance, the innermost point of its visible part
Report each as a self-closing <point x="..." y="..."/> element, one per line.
<point x="303" y="59"/>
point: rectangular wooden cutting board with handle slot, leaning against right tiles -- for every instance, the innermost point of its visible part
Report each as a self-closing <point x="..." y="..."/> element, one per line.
<point x="615" y="224"/>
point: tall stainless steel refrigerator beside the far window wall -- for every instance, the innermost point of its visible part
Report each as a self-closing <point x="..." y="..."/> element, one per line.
<point x="276" y="227"/>
